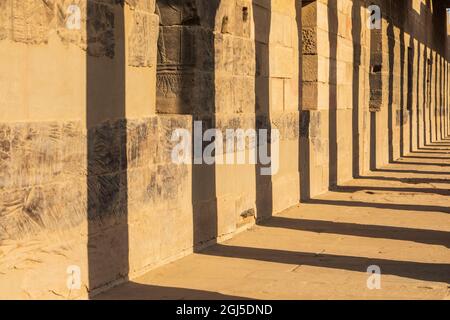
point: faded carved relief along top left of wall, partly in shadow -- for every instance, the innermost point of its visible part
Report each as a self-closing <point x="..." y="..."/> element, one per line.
<point x="31" y="22"/>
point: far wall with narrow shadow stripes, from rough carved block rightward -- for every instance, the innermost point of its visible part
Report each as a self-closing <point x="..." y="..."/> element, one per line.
<point x="369" y="96"/>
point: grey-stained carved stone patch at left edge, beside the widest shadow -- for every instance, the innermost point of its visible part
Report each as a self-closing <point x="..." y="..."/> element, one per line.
<point x="42" y="166"/>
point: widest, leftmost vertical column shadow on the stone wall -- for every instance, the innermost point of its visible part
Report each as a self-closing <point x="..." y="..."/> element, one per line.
<point x="107" y="194"/>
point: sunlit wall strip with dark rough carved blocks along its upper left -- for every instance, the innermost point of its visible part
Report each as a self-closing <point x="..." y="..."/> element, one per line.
<point x="315" y="92"/>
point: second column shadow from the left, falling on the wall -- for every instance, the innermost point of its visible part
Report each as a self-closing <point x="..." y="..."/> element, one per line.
<point x="204" y="180"/>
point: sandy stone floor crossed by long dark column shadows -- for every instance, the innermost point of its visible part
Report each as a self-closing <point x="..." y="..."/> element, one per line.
<point x="397" y="218"/>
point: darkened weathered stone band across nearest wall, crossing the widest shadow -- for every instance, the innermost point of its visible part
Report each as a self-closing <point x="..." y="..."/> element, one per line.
<point x="37" y="159"/>
